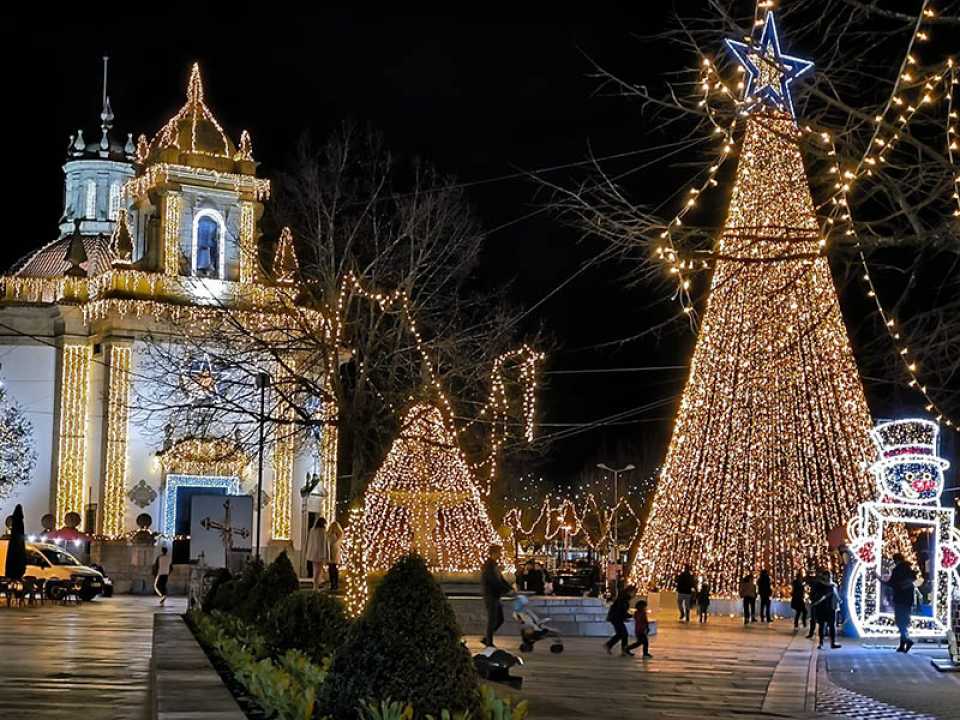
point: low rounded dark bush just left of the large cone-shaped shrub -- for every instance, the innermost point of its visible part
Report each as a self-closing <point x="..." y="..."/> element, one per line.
<point x="308" y="621"/>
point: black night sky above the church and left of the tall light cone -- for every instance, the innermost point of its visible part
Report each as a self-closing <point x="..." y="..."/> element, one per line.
<point x="477" y="99"/>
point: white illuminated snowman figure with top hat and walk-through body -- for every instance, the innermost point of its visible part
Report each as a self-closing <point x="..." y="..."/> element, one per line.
<point x="909" y="476"/>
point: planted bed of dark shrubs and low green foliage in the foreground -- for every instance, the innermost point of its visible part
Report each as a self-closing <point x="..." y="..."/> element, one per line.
<point x="293" y="655"/>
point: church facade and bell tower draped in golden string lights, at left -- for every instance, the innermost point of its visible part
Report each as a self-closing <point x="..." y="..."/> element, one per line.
<point x="155" y="235"/>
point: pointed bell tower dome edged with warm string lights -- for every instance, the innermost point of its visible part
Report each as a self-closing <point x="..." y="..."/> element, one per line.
<point x="193" y="136"/>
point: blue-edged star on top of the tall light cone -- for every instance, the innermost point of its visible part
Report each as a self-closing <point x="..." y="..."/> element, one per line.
<point x="770" y="71"/>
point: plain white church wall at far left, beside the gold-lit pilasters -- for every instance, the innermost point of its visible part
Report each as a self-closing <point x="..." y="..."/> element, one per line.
<point x="29" y="373"/>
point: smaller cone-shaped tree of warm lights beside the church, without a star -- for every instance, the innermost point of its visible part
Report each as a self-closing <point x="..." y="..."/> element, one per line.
<point x="423" y="499"/>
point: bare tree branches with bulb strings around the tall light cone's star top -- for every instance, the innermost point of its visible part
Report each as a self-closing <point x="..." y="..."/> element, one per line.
<point x="882" y="72"/>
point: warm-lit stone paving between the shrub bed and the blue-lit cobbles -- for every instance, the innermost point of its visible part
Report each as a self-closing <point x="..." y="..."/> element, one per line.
<point x="718" y="670"/>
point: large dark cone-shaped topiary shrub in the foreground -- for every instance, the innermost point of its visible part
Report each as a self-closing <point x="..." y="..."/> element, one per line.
<point x="406" y="646"/>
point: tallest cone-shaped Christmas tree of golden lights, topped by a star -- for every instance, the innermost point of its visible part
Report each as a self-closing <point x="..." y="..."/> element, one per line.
<point x="768" y="449"/>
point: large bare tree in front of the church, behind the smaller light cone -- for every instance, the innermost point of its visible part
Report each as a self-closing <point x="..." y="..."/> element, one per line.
<point x="386" y="309"/>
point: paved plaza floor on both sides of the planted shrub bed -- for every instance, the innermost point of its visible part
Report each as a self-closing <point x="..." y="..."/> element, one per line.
<point x="93" y="661"/>
